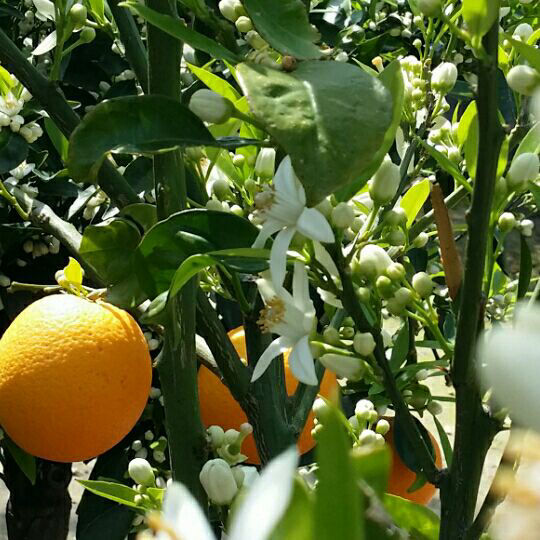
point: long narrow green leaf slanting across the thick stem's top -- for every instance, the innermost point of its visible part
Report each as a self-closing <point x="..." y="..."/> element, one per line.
<point x="178" y="29"/>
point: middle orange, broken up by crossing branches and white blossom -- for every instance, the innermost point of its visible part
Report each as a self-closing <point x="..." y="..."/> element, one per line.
<point x="218" y="407"/>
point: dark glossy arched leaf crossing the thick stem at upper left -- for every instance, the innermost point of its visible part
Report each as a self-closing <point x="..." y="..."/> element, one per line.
<point x="135" y="125"/>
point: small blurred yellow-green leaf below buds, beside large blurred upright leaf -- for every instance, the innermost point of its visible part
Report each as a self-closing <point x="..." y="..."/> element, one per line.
<point x="372" y="465"/>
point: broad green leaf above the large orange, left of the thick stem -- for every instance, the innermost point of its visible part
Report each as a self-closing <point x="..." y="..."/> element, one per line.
<point x="109" y="248"/>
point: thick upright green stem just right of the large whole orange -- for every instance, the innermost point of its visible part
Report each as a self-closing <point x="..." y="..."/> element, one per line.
<point x="177" y="366"/>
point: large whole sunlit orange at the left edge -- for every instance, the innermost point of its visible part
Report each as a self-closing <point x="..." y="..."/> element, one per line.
<point x="74" y="377"/>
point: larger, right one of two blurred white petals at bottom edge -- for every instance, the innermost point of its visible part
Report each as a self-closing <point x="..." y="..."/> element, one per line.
<point x="267" y="499"/>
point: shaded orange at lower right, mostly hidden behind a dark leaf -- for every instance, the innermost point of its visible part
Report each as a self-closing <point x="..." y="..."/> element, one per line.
<point x="402" y="478"/>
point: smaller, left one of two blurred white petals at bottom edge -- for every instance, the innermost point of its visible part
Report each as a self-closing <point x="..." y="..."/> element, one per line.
<point x="182" y="512"/>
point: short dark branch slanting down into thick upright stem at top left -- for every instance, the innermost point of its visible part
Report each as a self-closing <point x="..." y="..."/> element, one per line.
<point x="131" y="39"/>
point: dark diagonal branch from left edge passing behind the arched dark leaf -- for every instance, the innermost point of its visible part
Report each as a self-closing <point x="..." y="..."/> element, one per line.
<point x="50" y="98"/>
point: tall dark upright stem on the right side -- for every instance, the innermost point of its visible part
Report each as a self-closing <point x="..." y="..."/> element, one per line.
<point x="474" y="428"/>
